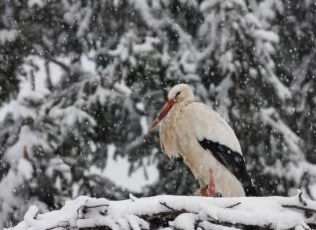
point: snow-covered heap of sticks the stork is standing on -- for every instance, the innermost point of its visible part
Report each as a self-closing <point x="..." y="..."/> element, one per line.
<point x="177" y="212"/>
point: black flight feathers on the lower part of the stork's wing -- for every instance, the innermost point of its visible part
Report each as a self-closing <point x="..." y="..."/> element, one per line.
<point x="233" y="161"/>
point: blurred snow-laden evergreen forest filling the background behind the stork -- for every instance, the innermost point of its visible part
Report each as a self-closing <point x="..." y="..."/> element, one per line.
<point x="81" y="81"/>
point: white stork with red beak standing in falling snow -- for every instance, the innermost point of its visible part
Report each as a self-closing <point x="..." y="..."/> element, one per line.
<point x="207" y="144"/>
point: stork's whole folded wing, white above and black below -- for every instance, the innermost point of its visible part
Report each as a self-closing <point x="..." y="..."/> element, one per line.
<point x="215" y="135"/>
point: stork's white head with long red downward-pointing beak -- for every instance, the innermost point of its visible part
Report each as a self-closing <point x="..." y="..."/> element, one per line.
<point x="178" y="94"/>
